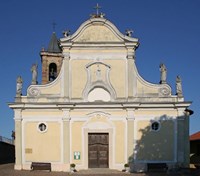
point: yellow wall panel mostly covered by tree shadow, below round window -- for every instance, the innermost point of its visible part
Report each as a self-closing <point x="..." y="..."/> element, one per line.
<point x="155" y="145"/>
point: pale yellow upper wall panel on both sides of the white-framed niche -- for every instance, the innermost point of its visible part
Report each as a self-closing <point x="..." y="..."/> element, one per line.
<point x="79" y="76"/>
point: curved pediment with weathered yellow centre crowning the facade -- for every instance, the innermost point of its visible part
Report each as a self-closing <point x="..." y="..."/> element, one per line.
<point x="98" y="30"/>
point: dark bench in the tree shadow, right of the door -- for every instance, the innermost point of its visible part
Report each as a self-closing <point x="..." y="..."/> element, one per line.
<point x="157" y="167"/>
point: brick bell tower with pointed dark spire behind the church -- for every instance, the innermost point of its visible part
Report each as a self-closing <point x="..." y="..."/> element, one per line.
<point x="51" y="60"/>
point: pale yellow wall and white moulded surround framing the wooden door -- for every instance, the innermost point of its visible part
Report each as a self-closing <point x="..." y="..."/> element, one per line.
<point x="78" y="144"/>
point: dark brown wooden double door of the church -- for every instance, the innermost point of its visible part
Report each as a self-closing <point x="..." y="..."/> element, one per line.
<point x="98" y="150"/>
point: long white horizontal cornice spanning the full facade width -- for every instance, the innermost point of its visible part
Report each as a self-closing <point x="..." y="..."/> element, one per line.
<point x="100" y="105"/>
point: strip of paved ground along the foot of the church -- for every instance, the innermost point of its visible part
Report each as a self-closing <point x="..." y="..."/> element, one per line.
<point x="7" y="170"/>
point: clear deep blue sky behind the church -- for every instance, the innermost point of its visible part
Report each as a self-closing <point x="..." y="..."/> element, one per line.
<point x="168" y="31"/>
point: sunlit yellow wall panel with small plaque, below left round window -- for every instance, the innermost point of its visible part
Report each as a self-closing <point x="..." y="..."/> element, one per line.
<point x="42" y="147"/>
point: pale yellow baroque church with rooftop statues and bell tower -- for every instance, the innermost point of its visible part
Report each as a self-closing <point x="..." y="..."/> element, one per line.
<point x="93" y="108"/>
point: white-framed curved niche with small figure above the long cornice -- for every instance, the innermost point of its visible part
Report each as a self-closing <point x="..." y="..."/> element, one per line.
<point x="98" y="80"/>
